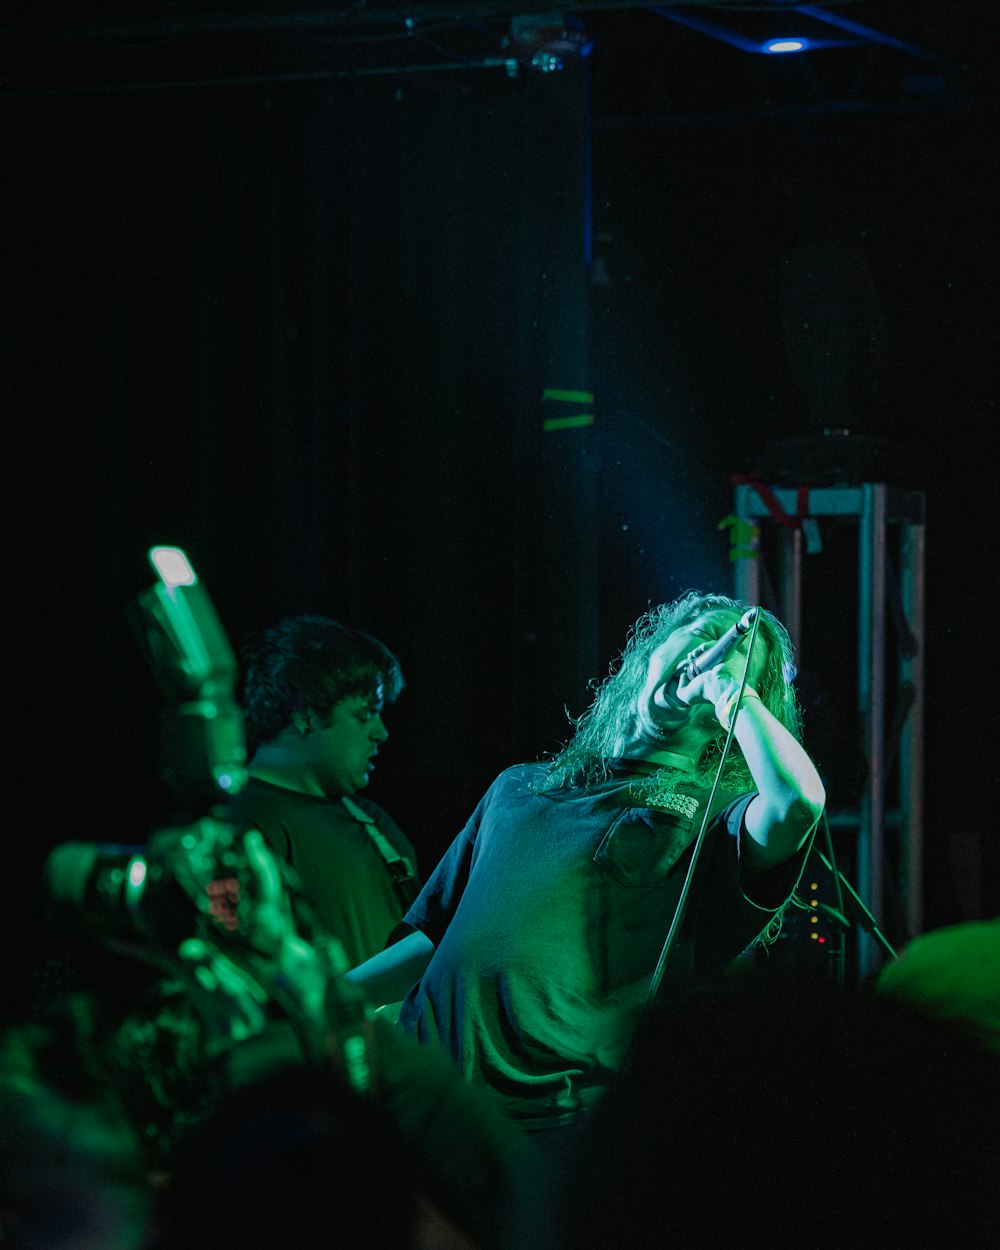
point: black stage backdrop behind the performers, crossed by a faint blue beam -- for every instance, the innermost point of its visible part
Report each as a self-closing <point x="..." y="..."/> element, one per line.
<point x="277" y="297"/>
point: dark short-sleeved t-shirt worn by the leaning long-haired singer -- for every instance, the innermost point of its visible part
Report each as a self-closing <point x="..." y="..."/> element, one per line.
<point x="549" y="914"/>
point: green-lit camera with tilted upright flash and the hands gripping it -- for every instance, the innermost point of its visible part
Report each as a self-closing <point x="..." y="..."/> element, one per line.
<point x="246" y="977"/>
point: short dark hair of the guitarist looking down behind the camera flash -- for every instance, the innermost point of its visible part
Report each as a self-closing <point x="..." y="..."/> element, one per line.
<point x="312" y="663"/>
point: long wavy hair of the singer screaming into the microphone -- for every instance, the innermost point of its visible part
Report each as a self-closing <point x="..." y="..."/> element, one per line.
<point x="602" y="729"/>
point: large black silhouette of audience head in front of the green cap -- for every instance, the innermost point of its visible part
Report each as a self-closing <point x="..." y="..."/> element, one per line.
<point x="769" y="1114"/>
